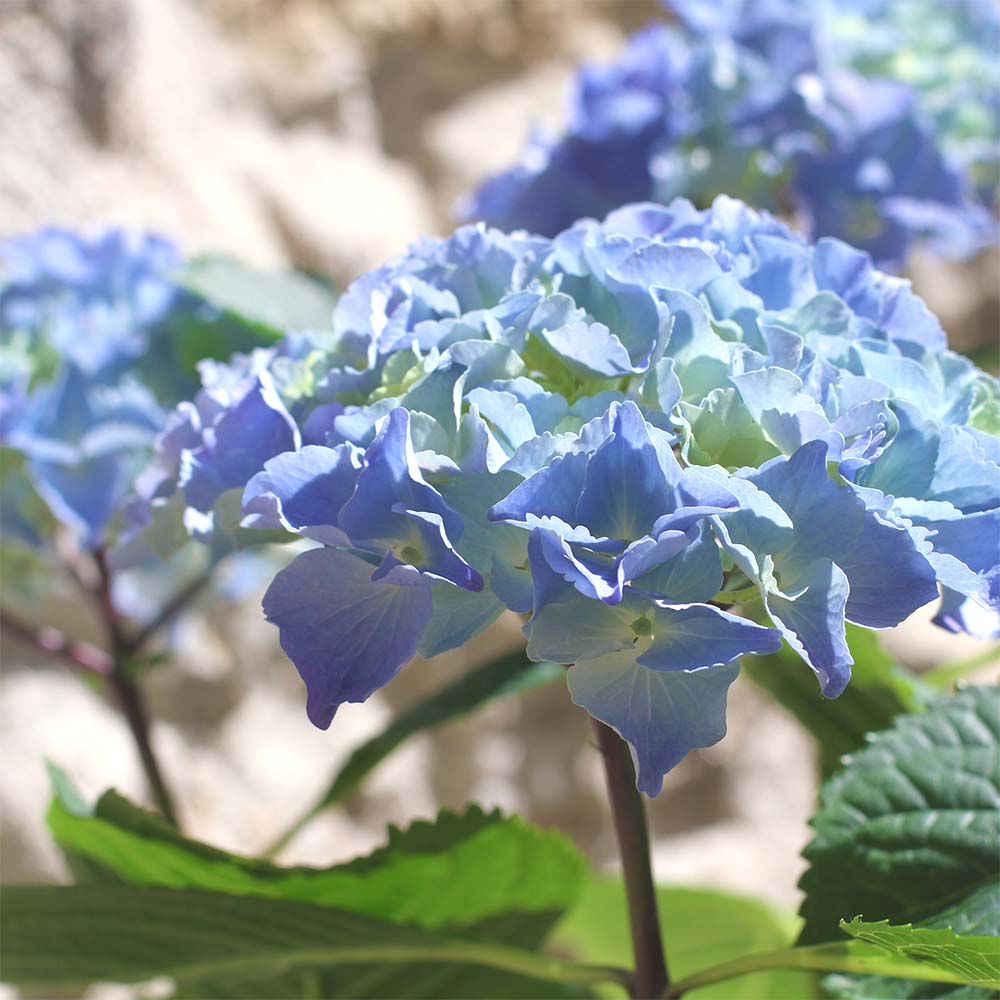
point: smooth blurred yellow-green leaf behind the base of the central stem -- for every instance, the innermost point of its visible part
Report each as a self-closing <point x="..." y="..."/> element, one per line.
<point x="701" y="928"/>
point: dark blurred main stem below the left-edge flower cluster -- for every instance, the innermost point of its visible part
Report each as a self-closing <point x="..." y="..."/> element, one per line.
<point x="128" y="692"/>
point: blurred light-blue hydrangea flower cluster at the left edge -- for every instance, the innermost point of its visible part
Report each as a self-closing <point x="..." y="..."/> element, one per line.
<point x="82" y="373"/>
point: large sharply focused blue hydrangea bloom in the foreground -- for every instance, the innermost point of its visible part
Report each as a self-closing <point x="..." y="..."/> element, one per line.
<point x="622" y="433"/>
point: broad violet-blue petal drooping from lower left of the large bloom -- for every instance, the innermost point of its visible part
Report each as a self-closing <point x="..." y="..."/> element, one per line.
<point x="346" y="635"/>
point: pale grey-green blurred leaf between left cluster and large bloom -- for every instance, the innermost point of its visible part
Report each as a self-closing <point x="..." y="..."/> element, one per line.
<point x="273" y="302"/>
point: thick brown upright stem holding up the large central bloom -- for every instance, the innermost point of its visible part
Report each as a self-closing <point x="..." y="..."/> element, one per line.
<point x="629" y="814"/>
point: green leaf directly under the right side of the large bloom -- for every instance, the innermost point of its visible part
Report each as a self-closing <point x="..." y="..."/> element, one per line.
<point x="879" y="691"/>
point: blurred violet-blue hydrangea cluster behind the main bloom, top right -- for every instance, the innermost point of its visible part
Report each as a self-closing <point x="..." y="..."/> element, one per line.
<point x="874" y="122"/>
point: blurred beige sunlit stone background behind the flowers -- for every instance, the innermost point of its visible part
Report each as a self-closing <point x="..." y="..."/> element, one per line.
<point x="326" y="134"/>
